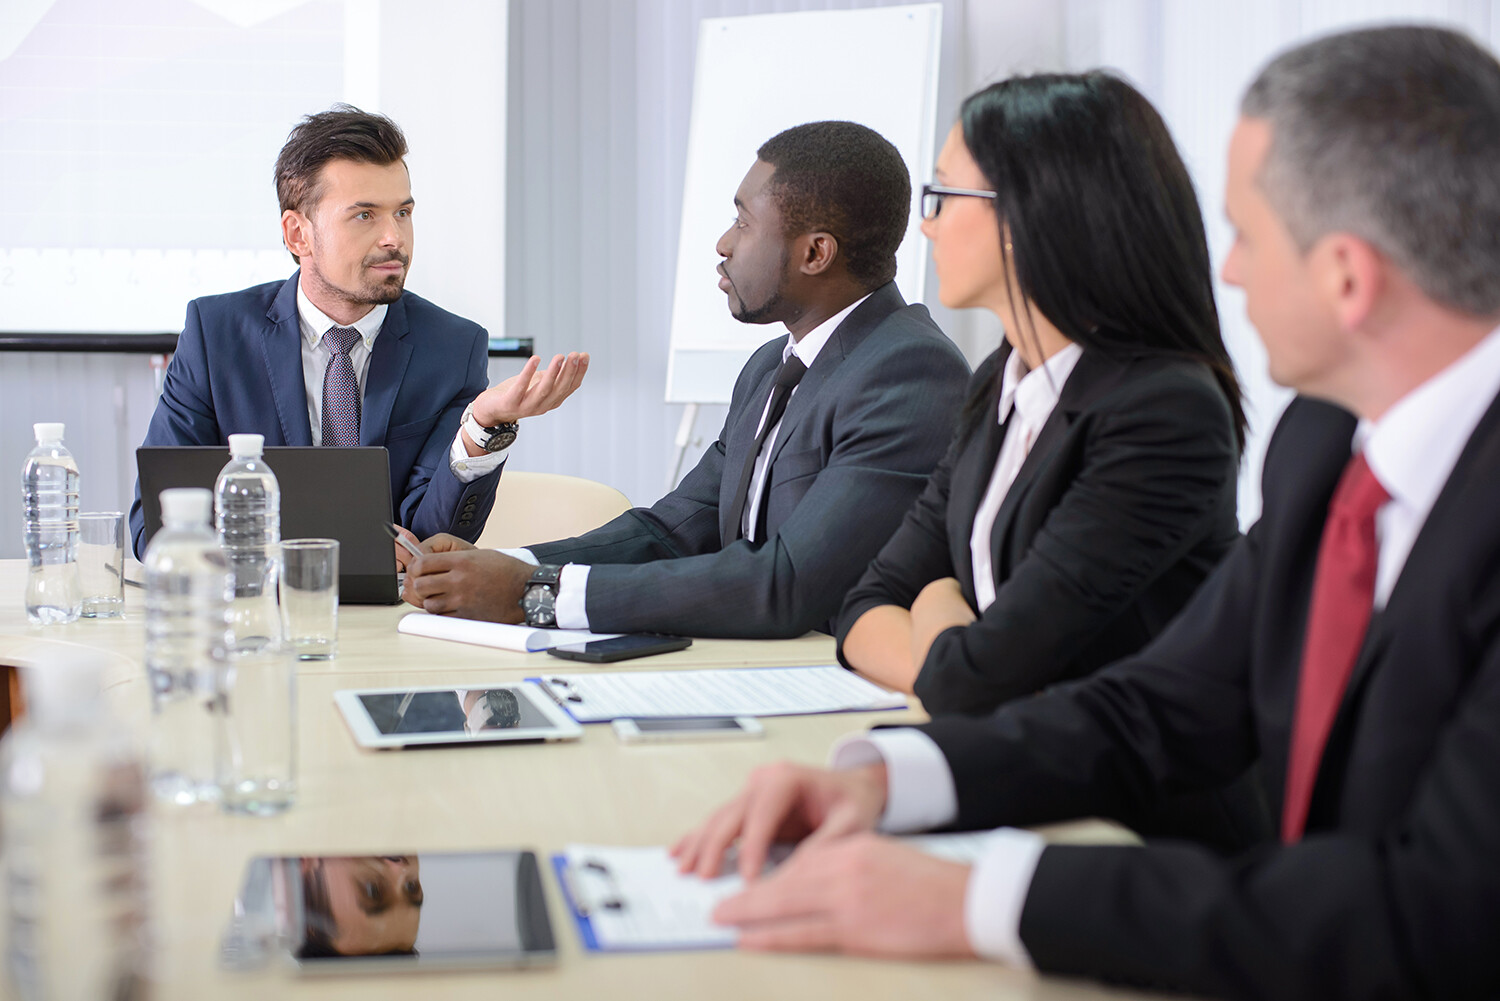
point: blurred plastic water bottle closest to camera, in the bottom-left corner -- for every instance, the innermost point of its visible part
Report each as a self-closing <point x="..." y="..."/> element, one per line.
<point x="74" y="832"/>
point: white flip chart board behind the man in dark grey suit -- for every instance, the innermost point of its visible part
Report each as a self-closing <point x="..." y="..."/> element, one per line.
<point x="758" y="76"/>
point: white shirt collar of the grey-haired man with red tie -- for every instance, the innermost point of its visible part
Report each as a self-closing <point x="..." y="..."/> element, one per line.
<point x="1415" y="445"/>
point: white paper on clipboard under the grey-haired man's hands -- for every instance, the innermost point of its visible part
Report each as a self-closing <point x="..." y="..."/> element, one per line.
<point x="637" y="898"/>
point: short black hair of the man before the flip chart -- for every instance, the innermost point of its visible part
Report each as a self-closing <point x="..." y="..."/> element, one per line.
<point x="845" y="179"/>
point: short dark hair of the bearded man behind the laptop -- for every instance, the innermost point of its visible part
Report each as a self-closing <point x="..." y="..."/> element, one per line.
<point x="343" y="133"/>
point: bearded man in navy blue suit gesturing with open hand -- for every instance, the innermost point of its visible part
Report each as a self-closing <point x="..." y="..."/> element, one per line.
<point x="343" y="355"/>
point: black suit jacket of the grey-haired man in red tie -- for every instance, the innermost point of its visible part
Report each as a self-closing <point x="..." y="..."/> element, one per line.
<point x="1394" y="892"/>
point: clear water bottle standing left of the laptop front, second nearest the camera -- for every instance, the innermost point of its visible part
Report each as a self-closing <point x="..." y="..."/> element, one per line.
<point x="187" y="625"/>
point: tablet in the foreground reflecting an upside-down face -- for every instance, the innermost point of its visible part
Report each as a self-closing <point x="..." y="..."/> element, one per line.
<point x="347" y="913"/>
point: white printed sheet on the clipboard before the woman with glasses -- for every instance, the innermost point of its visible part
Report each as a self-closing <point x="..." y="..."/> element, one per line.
<point x="727" y="693"/>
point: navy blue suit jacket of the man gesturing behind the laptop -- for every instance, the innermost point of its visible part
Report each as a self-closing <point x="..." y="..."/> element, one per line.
<point x="238" y="370"/>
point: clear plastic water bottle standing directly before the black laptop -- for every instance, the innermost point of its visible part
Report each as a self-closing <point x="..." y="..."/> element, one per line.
<point x="247" y="507"/>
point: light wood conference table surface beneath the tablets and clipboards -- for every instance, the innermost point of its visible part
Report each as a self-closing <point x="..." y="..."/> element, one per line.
<point x="355" y="802"/>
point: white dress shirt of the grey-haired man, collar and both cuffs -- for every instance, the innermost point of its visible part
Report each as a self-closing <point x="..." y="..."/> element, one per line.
<point x="1412" y="451"/>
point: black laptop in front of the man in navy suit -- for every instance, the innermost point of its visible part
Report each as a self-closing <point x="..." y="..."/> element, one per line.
<point x="326" y="494"/>
